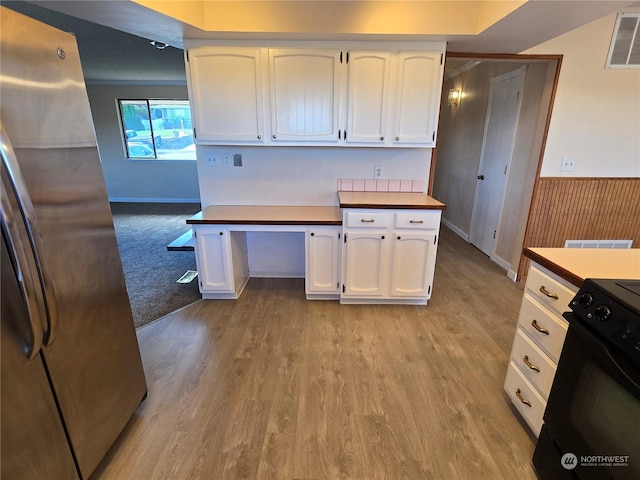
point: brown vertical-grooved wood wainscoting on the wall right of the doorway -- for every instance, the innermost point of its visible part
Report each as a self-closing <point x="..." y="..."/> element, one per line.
<point x="565" y="208"/>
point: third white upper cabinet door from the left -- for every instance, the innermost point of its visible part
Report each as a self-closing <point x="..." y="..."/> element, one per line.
<point x="369" y="74"/>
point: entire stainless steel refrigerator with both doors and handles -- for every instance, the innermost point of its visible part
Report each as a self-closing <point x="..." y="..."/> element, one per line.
<point x="71" y="372"/>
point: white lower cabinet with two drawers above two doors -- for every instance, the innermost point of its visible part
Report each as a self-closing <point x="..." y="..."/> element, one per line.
<point x="388" y="255"/>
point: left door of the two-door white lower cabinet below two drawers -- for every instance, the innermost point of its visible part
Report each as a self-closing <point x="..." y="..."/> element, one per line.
<point x="364" y="264"/>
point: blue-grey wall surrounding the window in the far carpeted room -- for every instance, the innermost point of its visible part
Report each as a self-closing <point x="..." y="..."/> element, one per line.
<point x="138" y="180"/>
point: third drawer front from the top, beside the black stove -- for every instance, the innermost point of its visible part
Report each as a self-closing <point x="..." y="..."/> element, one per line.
<point x="534" y="363"/>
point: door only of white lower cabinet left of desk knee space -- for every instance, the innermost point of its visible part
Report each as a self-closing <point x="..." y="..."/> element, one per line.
<point x="213" y="258"/>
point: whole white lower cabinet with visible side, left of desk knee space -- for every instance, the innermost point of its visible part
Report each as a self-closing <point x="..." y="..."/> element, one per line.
<point x="221" y="260"/>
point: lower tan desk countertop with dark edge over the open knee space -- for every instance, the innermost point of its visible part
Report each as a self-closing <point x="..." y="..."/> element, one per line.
<point x="267" y="215"/>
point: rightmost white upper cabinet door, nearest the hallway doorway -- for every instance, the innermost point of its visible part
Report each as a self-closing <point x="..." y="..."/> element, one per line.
<point x="418" y="98"/>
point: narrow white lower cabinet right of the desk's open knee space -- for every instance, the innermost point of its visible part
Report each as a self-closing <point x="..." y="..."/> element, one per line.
<point x="322" y="258"/>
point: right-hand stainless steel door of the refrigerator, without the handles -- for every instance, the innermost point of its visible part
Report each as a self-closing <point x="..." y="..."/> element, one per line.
<point x="94" y="364"/>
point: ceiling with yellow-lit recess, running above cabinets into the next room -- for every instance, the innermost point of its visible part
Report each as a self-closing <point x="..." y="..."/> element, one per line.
<point x="113" y="36"/>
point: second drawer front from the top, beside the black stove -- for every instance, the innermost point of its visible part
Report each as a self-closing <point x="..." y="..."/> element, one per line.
<point x="546" y="329"/>
